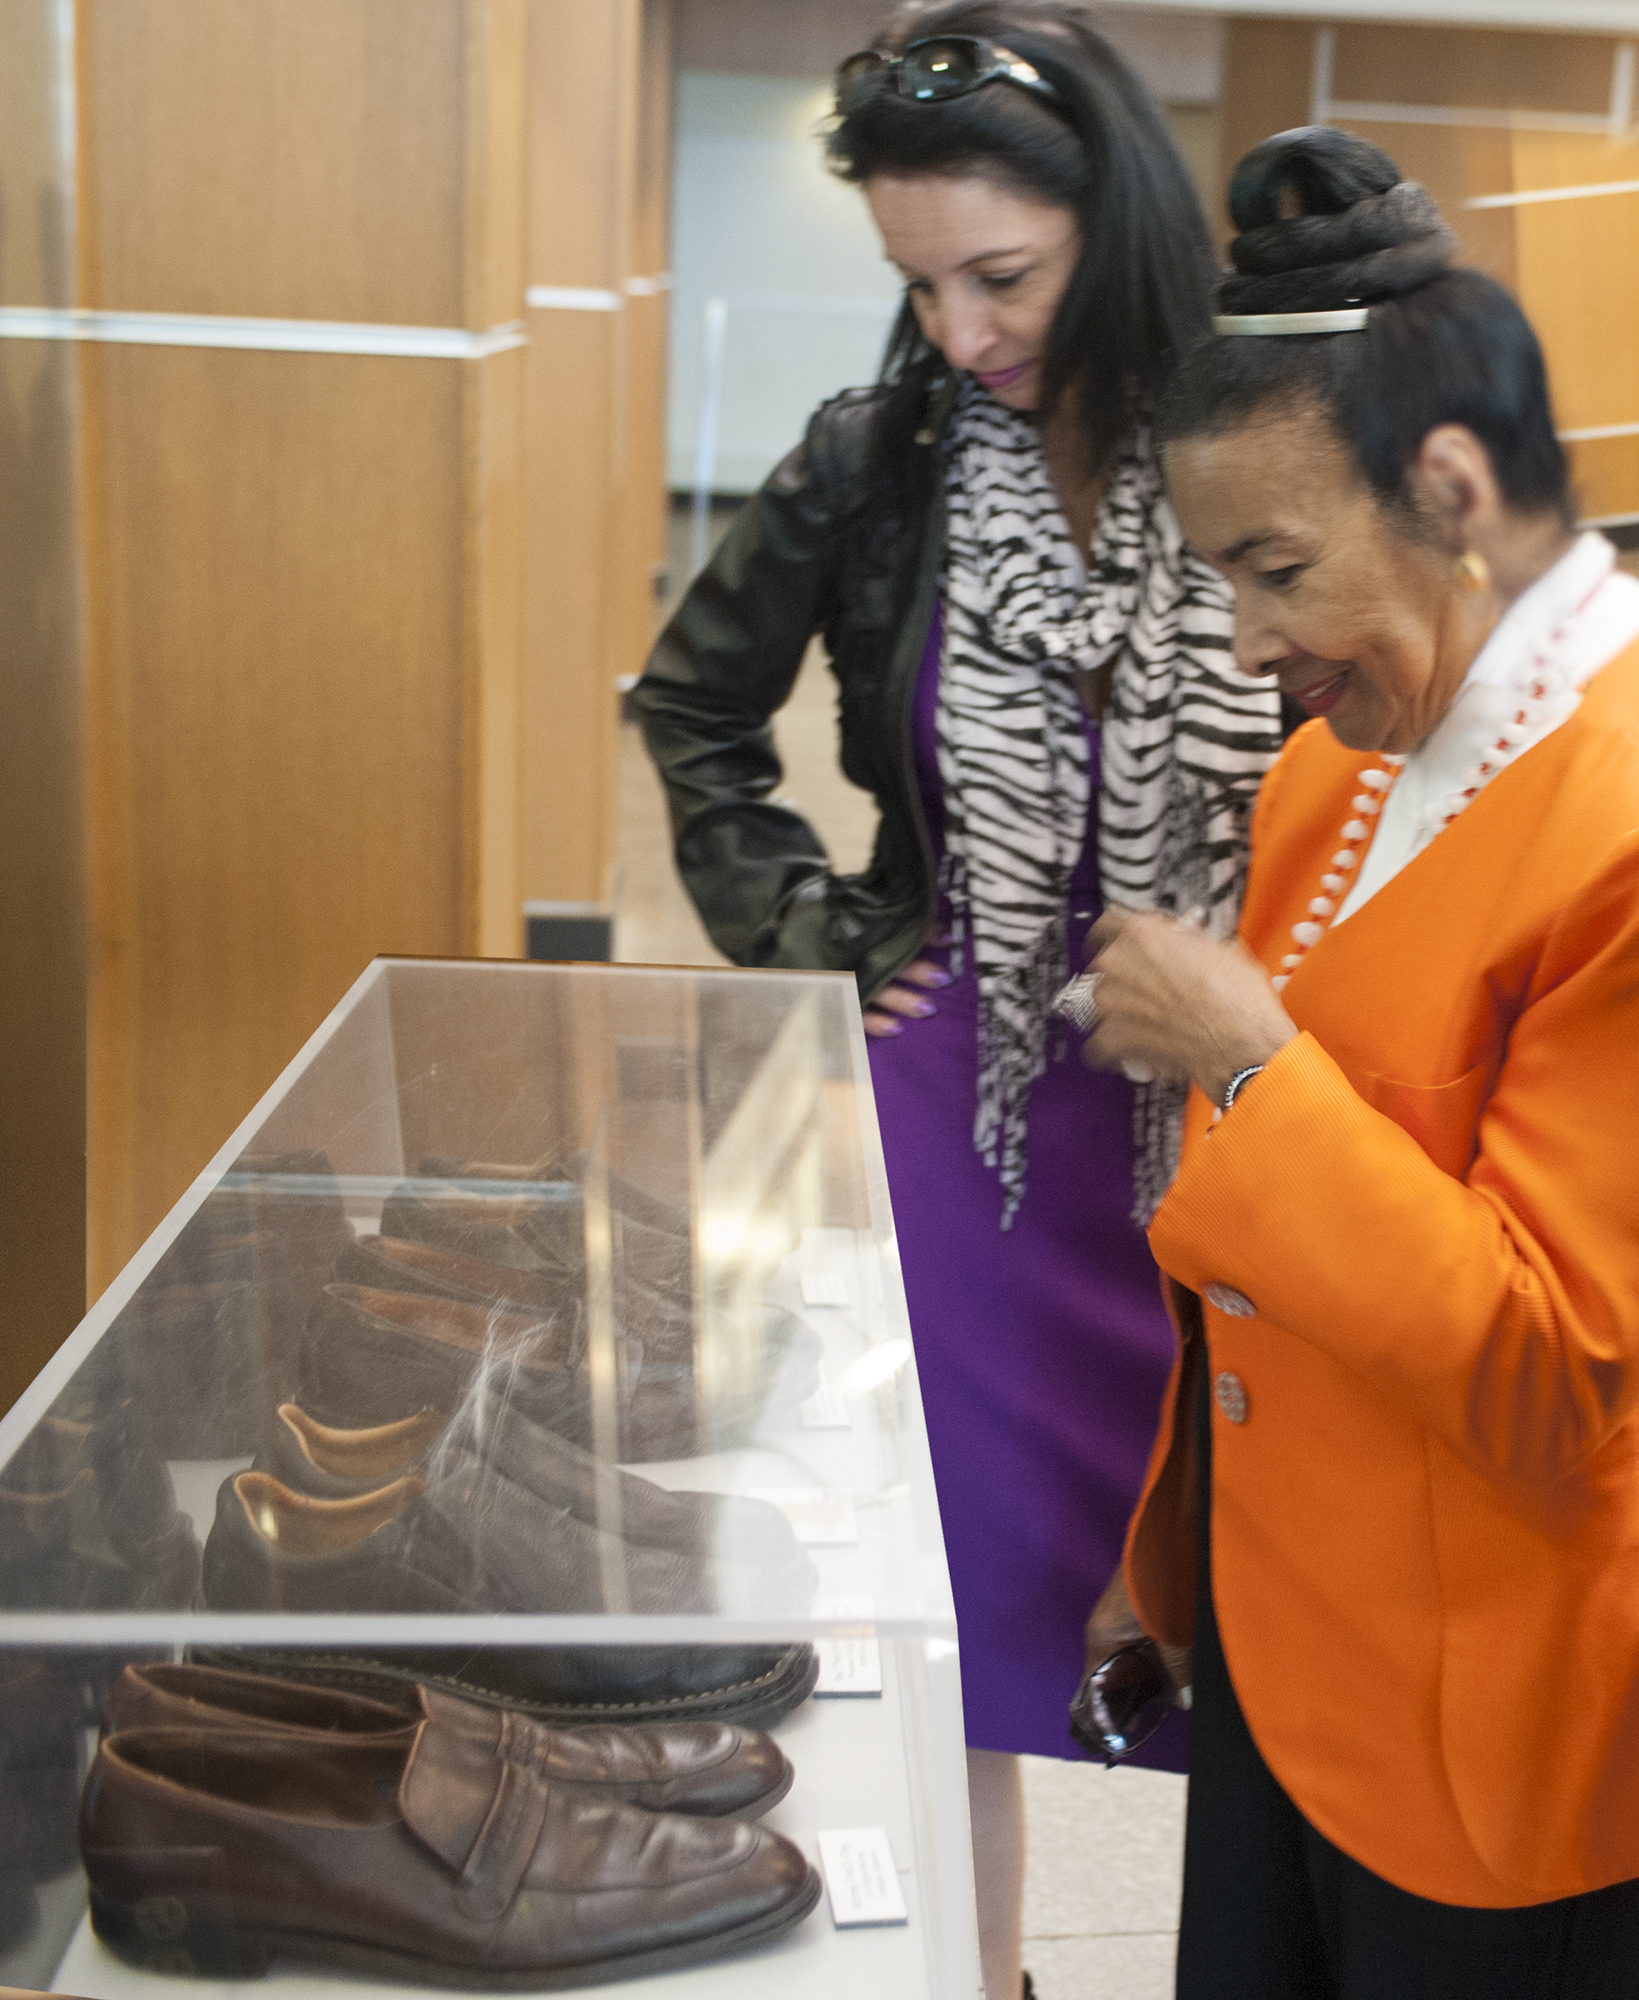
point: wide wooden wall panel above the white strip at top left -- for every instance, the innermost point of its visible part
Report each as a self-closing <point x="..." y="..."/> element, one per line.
<point x="285" y="159"/>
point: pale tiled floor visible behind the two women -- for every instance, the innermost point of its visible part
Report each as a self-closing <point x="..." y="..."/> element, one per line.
<point x="1104" y="1847"/>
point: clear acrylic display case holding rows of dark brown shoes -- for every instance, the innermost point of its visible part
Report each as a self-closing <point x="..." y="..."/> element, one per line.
<point x="541" y="1337"/>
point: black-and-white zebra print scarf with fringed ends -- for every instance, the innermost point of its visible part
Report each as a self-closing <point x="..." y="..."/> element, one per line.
<point x="1184" y="747"/>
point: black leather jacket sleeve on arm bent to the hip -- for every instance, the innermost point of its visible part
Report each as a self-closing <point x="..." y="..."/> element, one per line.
<point x="723" y="667"/>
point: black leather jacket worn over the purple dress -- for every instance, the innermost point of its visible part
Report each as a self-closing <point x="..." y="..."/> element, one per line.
<point x="805" y="557"/>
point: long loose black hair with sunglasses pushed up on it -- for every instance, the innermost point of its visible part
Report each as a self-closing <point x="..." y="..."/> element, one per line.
<point x="1142" y="291"/>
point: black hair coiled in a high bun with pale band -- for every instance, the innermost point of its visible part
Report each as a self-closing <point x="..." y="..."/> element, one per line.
<point x="1328" y="221"/>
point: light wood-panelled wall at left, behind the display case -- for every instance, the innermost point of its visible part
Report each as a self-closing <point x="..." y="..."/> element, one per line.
<point x="353" y="621"/>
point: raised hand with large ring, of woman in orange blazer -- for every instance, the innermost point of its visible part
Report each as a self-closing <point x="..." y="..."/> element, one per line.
<point x="1178" y="1003"/>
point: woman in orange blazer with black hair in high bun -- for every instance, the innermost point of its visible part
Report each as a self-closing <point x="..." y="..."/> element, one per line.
<point x="1396" y="1495"/>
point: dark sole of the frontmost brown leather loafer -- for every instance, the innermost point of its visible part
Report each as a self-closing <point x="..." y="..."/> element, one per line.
<point x="169" y="1937"/>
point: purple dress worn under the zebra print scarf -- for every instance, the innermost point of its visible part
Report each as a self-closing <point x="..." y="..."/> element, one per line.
<point x="1042" y="1351"/>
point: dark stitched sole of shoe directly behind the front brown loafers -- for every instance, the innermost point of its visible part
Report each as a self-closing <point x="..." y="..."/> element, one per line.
<point x="757" y="1703"/>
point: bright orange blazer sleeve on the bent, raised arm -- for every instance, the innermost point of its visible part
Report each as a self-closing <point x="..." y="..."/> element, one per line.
<point x="1500" y="1309"/>
